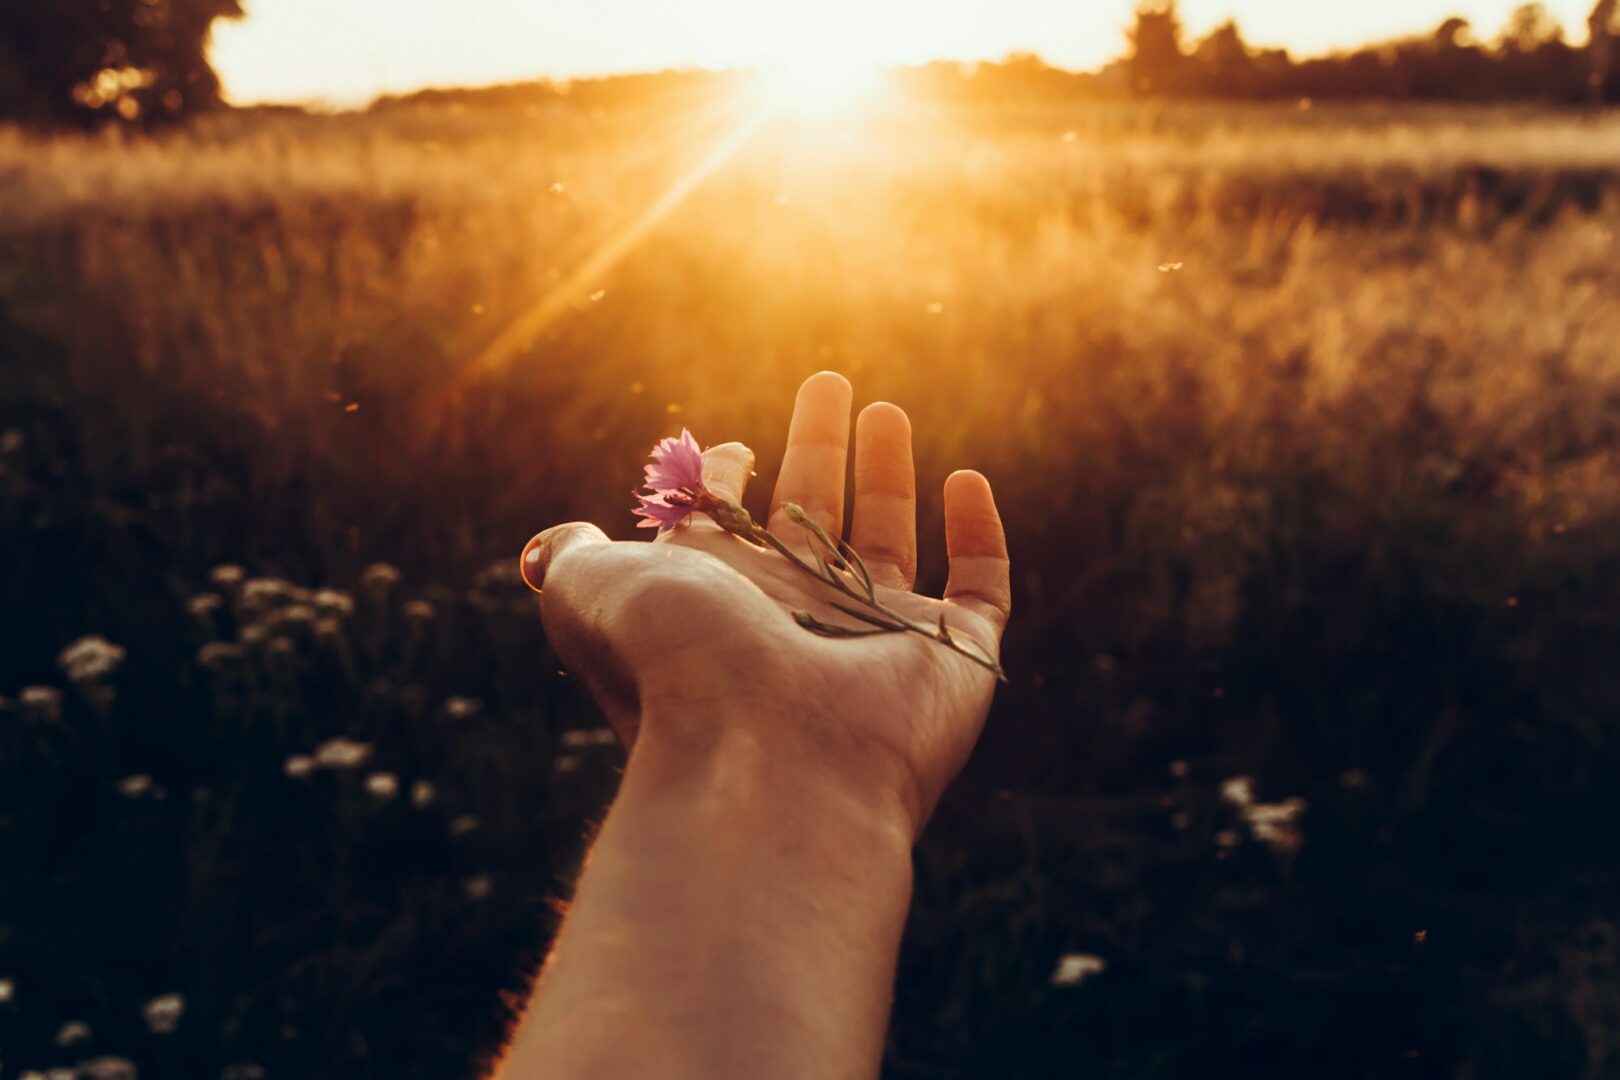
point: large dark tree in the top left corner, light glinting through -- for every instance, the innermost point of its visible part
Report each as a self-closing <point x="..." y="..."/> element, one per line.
<point x="82" y="62"/>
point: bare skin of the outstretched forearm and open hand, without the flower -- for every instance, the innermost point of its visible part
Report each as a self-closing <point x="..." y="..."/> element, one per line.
<point x="741" y="911"/>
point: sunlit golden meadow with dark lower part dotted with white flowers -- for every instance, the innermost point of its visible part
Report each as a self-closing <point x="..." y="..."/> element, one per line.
<point x="1305" y="423"/>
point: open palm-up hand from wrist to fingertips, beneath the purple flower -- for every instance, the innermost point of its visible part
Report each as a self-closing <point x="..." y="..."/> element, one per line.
<point x="691" y="639"/>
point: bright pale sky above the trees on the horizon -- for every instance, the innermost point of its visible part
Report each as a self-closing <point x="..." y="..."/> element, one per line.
<point x="349" y="51"/>
